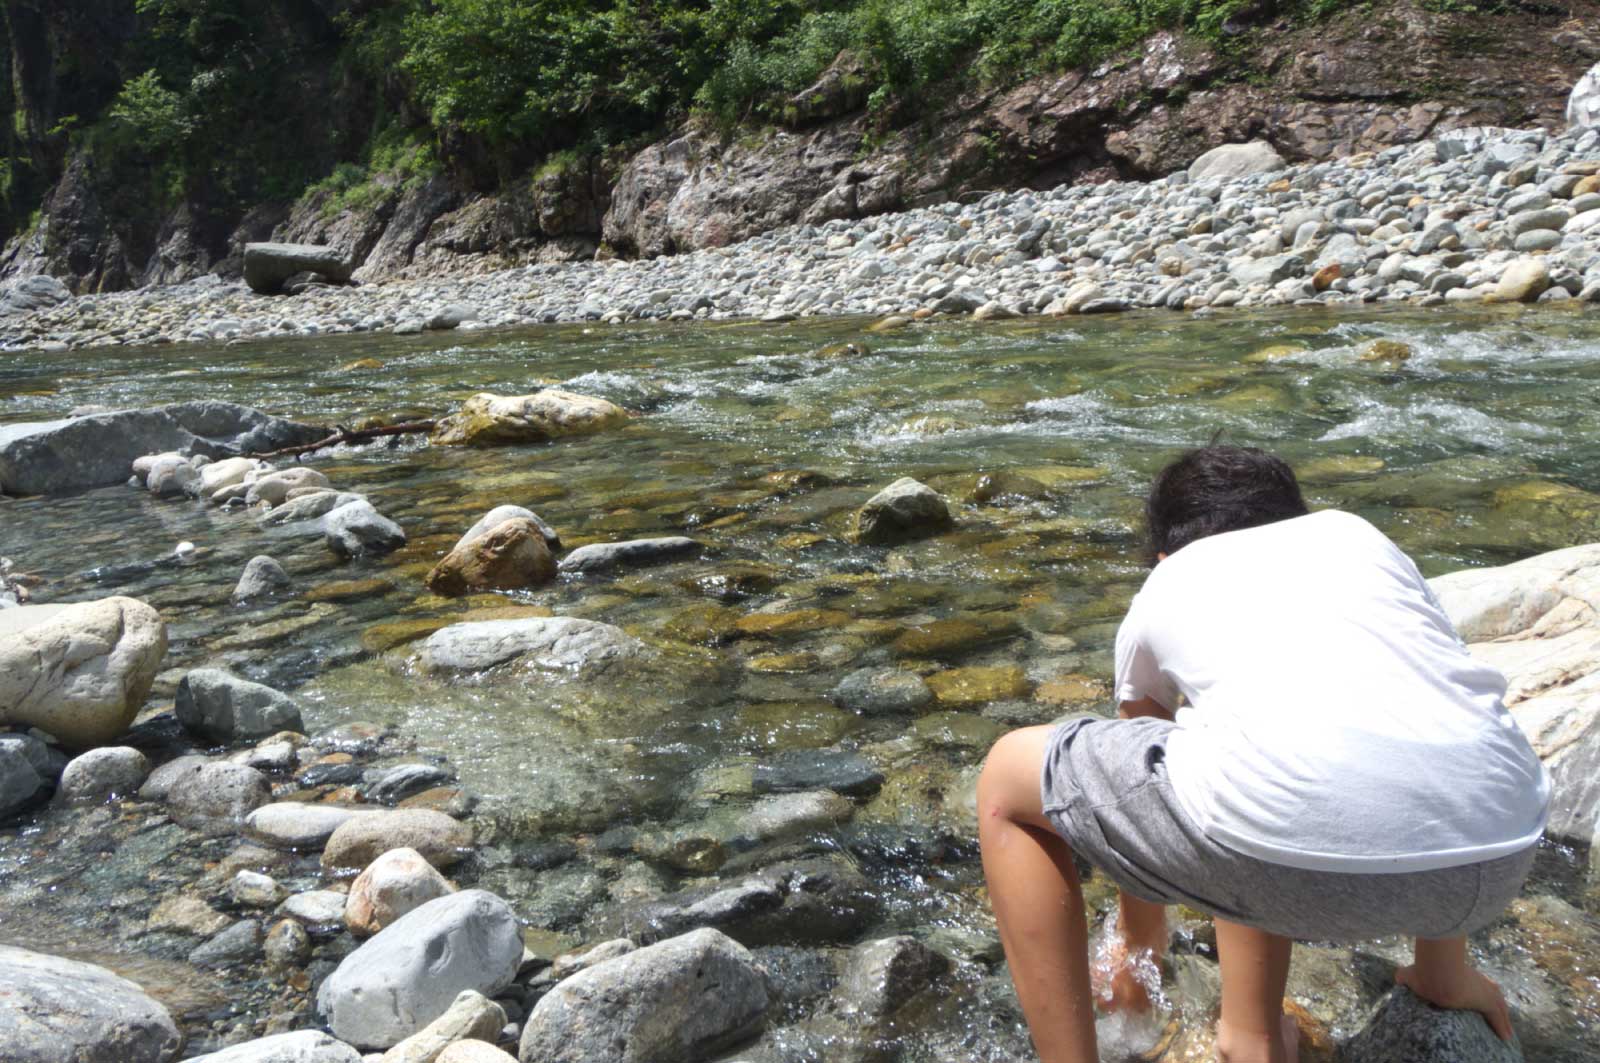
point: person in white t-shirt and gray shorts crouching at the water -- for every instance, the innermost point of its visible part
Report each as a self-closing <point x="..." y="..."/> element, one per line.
<point x="1342" y="769"/>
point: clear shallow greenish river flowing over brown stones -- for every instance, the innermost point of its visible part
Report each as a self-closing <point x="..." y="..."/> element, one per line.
<point x="761" y="441"/>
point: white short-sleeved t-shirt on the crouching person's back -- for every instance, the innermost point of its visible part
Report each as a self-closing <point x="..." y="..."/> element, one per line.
<point x="1335" y="720"/>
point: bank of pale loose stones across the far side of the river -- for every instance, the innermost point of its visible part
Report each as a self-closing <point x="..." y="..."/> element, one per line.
<point x="1474" y="215"/>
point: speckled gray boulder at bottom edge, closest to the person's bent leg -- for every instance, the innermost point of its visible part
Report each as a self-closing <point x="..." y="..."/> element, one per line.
<point x="684" y="1000"/>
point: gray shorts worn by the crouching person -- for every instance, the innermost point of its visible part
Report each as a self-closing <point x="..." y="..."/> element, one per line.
<point x="1106" y="793"/>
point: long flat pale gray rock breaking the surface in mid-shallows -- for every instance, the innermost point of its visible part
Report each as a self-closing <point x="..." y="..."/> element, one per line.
<point x="564" y="644"/>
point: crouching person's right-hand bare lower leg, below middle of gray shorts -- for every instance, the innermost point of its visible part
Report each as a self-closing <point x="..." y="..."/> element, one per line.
<point x="1255" y="971"/>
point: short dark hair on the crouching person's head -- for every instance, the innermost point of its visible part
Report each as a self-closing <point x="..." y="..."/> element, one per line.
<point x="1218" y="489"/>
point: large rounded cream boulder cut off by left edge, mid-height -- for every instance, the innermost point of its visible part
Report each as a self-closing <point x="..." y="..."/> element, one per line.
<point x="79" y="672"/>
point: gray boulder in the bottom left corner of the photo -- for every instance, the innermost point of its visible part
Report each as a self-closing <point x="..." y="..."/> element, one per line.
<point x="57" y="1009"/>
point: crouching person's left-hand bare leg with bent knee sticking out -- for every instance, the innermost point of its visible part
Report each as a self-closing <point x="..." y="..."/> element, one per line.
<point x="1038" y="902"/>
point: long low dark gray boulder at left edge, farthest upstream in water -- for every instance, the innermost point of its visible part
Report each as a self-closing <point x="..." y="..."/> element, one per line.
<point x="97" y="451"/>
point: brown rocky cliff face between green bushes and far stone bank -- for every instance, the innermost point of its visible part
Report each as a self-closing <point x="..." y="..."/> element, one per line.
<point x="1366" y="81"/>
